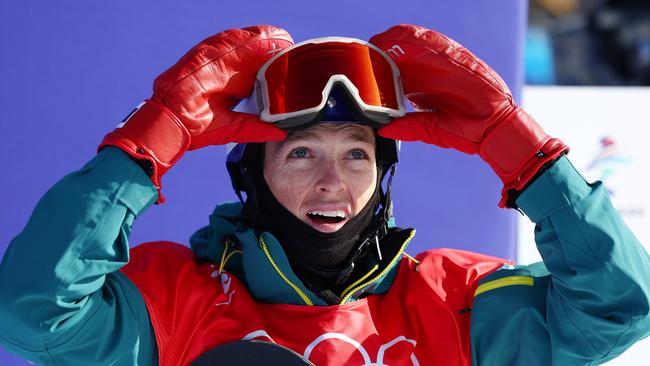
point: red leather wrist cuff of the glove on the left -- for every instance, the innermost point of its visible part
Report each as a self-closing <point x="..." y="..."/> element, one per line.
<point x="152" y="133"/>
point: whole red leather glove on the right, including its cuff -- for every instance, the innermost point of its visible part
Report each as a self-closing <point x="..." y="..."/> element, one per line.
<point x="465" y="105"/>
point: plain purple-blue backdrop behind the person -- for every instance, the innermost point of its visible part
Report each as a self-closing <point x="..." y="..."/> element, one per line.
<point x="71" y="69"/>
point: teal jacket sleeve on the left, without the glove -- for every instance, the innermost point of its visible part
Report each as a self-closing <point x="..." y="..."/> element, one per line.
<point x="62" y="299"/>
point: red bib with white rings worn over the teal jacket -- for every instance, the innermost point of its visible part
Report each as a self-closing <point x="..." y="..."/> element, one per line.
<point x="423" y="319"/>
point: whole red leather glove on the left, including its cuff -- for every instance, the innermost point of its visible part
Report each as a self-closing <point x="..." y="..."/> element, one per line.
<point x="191" y="103"/>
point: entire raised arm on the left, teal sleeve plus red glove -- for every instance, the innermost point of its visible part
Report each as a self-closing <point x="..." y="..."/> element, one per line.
<point x="62" y="299"/>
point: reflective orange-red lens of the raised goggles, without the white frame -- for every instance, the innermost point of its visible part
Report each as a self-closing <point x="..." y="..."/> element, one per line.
<point x="294" y="81"/>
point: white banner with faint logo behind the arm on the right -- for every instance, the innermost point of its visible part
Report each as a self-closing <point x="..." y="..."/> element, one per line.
<point x="608" y="130"/>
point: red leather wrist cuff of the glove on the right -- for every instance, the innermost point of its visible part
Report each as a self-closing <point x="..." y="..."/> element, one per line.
<point x="517" y="149"/>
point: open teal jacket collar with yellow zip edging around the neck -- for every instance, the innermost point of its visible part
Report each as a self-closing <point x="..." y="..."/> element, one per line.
<point x="261" y="264"/>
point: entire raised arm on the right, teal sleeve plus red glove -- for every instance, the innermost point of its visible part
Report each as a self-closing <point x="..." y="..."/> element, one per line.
<point x="594" y="302"/>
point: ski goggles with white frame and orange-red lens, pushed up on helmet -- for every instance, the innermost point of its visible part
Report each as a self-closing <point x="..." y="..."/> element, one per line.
<point x="293" y="87"/>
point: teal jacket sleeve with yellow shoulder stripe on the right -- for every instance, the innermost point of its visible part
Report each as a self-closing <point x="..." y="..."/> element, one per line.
<point x="586" y="303"/>
